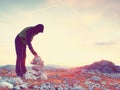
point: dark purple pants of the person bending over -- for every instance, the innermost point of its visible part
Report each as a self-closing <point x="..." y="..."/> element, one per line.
<point x="21" y="56"/>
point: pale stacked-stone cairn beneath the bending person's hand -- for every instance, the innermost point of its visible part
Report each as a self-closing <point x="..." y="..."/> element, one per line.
<point x="36" y="71"/>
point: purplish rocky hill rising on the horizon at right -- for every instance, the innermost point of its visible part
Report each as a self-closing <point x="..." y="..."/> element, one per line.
<point x="103" y="66"/>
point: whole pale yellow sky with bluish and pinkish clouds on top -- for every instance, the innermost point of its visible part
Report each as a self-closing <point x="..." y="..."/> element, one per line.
<point x="76" y="32"/>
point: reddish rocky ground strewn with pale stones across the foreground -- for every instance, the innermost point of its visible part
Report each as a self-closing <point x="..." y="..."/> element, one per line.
<point x="60" y="79"/>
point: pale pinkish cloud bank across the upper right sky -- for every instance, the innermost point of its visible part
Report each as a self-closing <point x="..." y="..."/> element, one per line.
<point x="111" y="8"/>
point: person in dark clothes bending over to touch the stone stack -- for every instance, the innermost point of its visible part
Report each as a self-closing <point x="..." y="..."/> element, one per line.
<point x="22" y="39"/>
